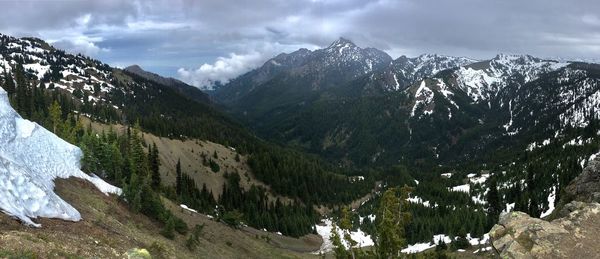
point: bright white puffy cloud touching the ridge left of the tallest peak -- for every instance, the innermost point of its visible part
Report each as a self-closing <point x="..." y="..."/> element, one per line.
<point x="222" y="70"/>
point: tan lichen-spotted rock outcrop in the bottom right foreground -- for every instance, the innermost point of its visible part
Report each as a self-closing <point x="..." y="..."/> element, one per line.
<point x="573" y="235"/>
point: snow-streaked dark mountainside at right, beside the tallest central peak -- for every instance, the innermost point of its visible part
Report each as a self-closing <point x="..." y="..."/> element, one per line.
<point x="526" y="100"/>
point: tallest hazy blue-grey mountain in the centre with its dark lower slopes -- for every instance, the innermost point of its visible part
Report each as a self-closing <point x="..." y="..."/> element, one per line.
<point x="333" y="101"/>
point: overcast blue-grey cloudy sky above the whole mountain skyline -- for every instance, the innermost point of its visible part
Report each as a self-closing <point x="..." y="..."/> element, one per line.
<point x="202" y="40"/>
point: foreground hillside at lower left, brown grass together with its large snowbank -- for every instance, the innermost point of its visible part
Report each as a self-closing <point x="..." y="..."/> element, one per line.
<point x="34" y="164"/>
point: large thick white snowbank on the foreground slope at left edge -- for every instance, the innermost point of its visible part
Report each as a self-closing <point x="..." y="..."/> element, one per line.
<point x="31" y="158"/>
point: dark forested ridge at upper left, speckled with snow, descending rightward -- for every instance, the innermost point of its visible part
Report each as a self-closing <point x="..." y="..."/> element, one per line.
<point x="111" y="94"/>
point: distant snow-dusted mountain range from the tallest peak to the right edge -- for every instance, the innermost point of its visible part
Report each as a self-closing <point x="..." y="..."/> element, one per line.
<point x="381" y="110"/>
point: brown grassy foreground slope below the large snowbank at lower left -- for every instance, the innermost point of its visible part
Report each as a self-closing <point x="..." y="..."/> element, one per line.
<point x="109" y="230"/>
